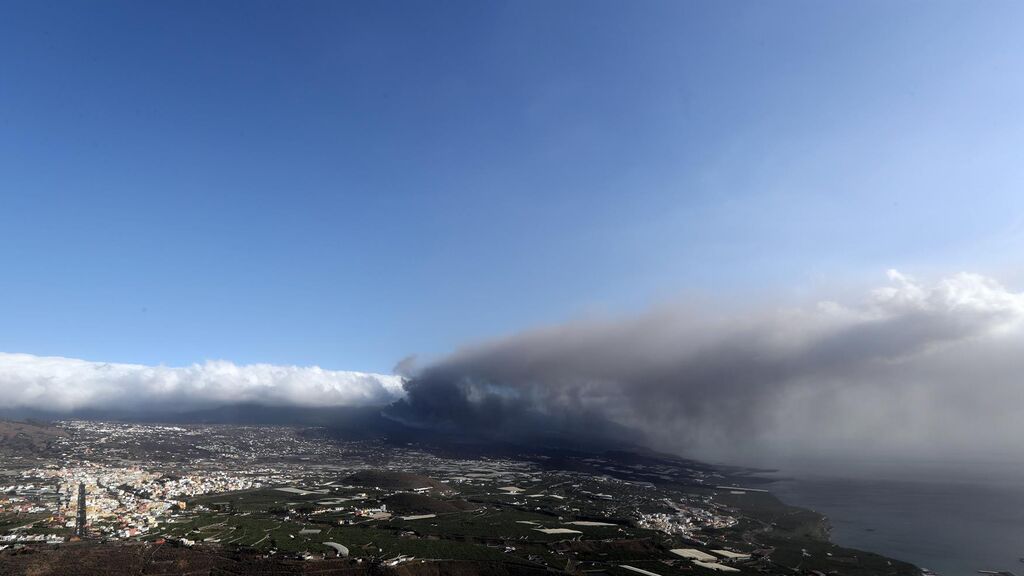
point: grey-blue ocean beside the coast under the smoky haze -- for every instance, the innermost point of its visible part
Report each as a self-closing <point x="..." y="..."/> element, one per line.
<point x="954" y="522"/>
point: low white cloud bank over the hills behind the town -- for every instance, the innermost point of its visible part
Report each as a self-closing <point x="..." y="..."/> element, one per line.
<point x="64" y="385"/>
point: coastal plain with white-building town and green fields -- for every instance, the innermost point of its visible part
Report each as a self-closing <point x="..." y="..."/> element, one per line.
<point x="287" y="495"/>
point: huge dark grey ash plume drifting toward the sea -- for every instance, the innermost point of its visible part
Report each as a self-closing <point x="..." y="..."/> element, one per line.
<point x="913" y="369"/>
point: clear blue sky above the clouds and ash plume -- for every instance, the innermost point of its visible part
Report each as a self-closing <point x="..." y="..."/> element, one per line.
<point x="345" y="184"/>
